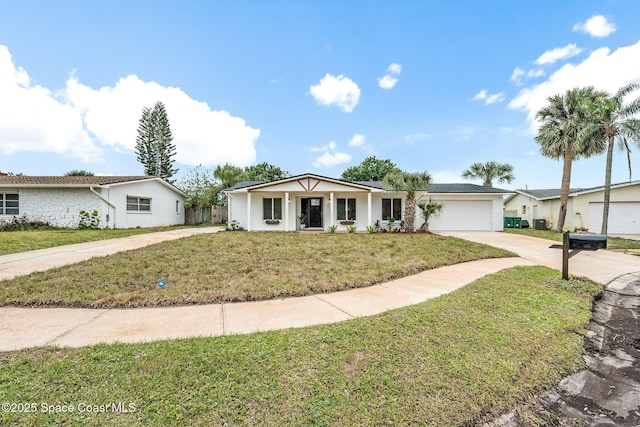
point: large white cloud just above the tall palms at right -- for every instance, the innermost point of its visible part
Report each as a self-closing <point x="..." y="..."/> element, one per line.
<point x="603" y="69"/>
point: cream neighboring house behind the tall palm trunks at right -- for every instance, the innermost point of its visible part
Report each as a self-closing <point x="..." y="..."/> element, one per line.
<point x="584" y="209"/>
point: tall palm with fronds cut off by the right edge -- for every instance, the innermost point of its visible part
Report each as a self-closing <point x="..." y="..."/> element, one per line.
<point x="616" y="120"/>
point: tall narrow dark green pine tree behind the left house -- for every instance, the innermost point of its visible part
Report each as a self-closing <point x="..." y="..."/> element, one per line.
<point x="154" y="146"/>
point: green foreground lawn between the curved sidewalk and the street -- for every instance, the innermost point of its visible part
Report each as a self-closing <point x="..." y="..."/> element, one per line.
<point x="445" y="362"/>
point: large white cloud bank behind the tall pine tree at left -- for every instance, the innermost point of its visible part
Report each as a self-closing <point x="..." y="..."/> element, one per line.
<point x="84" y="122"/>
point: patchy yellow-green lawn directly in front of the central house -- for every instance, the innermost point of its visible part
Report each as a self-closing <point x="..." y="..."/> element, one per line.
<point x="240" y="266"/>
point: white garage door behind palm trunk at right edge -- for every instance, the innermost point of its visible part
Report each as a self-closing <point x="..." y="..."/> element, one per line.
<point x="624" y="217"/>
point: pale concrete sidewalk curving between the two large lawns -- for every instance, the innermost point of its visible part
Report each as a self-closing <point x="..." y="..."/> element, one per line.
<point x="27" y="327"/>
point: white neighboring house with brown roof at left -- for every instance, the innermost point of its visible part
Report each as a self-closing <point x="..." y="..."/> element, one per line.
<point x="121" y="201"/>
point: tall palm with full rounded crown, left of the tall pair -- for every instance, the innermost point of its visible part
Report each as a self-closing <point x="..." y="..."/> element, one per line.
<point x="562" y="134"/>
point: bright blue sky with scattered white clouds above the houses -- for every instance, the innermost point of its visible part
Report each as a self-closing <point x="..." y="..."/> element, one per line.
<point x="308" y="86"/>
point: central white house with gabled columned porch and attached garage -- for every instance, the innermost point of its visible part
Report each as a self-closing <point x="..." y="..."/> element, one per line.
<point x="327" y="201"/>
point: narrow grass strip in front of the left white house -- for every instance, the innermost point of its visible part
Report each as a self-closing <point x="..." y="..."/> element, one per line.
<point x="21" y="241"/>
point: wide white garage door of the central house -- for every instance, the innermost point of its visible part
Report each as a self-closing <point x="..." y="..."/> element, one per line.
<point x="469" y="215"/>
